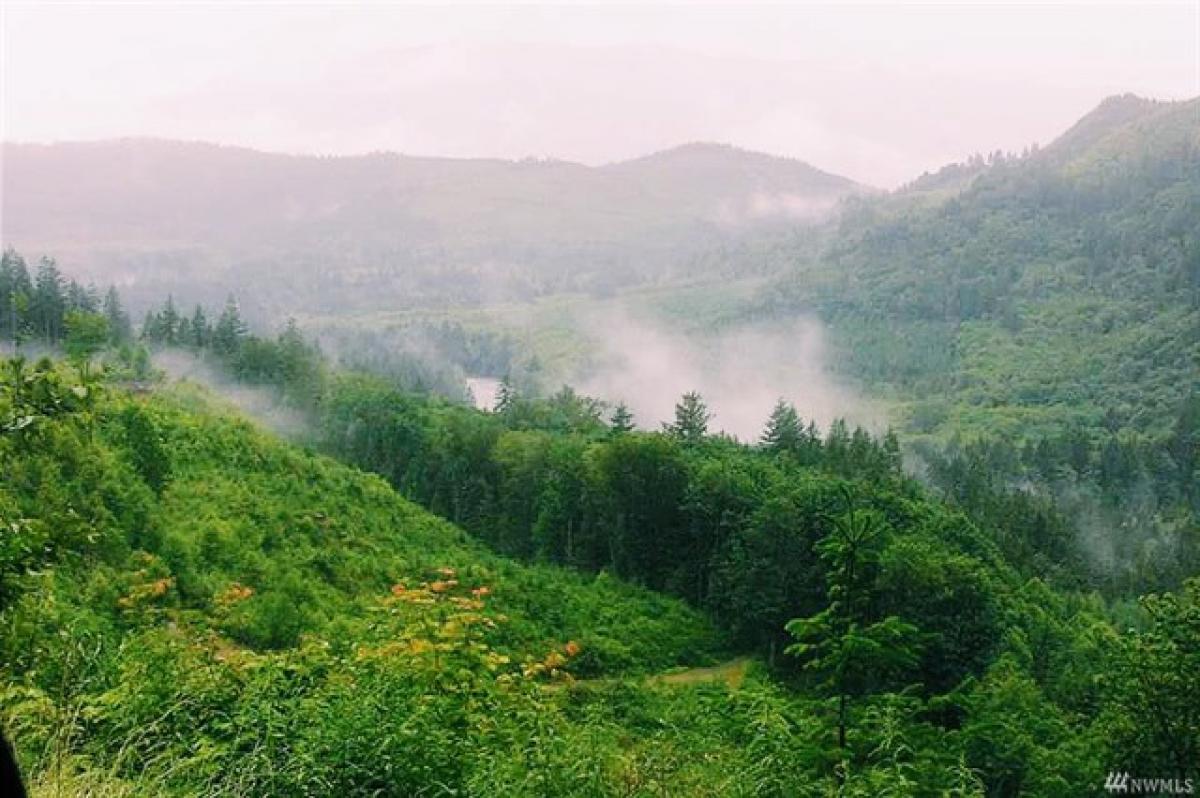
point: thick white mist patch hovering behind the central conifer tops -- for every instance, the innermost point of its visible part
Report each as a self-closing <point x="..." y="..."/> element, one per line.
<point x="740" y="374"/>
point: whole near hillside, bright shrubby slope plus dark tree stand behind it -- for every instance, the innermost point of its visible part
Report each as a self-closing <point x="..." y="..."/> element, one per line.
<point x="194" y="608"/>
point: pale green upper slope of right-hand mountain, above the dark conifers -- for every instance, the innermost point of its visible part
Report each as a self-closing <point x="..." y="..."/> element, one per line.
<point x="1023" y="295"/>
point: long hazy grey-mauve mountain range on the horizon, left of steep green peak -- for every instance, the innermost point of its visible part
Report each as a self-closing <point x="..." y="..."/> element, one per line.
<point x="386" y="231"/>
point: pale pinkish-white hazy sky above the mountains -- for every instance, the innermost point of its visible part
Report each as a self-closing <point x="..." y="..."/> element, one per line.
<point x="879" y="93"/>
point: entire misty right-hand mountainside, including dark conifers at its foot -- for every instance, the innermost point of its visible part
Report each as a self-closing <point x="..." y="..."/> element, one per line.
<point x="1035" y="323"/>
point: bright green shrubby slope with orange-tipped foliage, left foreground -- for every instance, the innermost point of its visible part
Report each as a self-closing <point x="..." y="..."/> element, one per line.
<point x="195" y="608"/>
